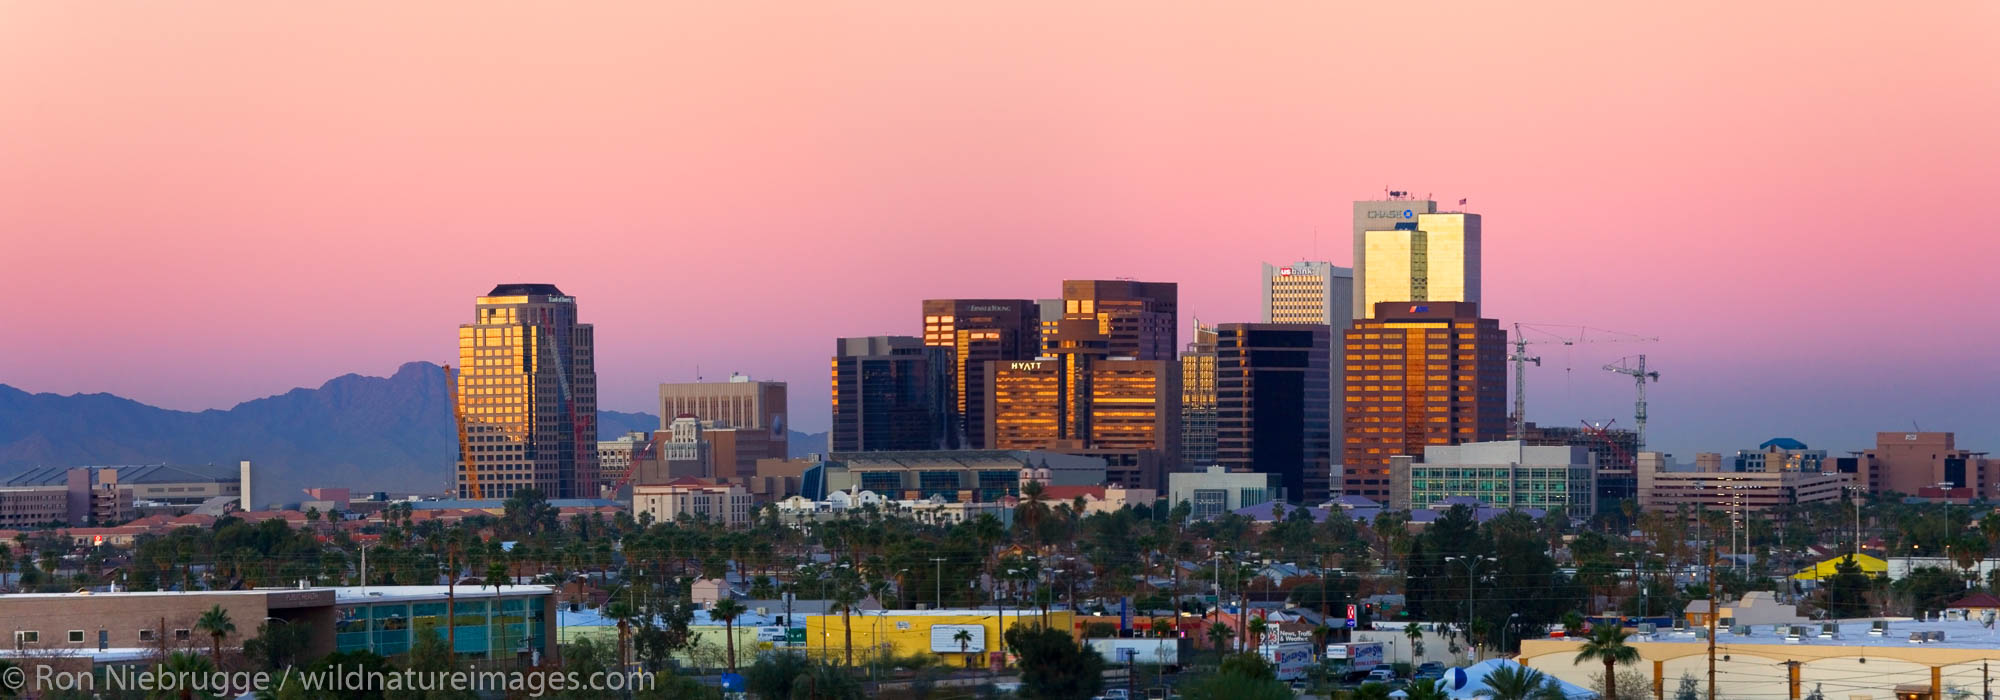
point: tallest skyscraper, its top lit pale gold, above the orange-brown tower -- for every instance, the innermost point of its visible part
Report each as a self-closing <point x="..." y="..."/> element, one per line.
<point x="1419" y="257"/>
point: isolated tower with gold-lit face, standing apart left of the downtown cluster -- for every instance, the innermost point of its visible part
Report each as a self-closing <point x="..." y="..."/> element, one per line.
<point x="529" y="393"/>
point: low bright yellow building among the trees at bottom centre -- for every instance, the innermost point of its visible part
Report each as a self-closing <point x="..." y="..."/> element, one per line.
<point x="905" y="633"/>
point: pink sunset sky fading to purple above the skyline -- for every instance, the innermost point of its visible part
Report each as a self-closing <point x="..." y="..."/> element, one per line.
<point x="205" y="203"/>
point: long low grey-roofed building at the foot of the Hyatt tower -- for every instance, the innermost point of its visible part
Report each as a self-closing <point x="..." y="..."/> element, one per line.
<point x="951" y="475"/>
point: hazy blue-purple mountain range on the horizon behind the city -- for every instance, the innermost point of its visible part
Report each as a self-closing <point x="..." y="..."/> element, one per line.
<point x="355" y="431"/>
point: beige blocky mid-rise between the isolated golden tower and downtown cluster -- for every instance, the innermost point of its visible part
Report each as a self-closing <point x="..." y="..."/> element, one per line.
<point x="745" y="421"/>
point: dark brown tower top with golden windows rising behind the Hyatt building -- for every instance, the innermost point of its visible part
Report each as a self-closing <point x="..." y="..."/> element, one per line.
<point x="1117" y="319"/>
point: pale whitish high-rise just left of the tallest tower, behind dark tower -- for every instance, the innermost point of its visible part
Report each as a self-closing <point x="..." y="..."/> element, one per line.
<point x="1315" y="293"/>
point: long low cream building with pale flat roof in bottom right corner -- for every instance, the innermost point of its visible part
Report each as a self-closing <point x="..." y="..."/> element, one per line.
<point x="1865" y="659"/>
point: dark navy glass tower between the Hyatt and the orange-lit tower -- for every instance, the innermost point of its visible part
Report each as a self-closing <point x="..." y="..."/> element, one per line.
<point x="1273" y="407"/>
